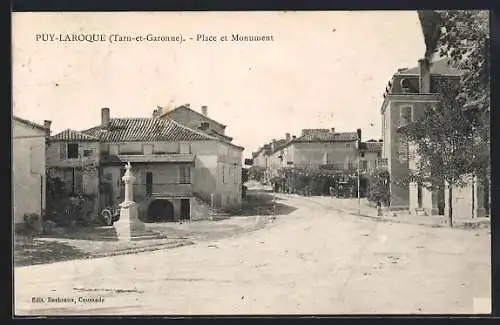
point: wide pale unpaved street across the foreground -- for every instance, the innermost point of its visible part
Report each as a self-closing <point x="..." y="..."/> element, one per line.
<point x="314" y="260"/>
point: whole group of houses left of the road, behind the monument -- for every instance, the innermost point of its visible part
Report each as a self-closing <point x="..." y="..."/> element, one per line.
<point x="183" y="161"/>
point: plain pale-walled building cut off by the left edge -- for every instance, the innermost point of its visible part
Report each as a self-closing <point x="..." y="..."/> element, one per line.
<point x="28" y="167"/>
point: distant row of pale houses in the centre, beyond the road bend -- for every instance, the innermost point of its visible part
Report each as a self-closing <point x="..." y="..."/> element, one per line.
<point x="318" y="149"/>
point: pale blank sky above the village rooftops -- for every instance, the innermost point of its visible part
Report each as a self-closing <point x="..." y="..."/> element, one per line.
<point x="323" y="70"/>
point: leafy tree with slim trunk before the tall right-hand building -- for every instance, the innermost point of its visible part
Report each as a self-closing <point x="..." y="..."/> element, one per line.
<point x="443" y="144"/>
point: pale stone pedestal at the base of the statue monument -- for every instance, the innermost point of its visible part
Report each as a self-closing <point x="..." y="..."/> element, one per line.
<point x="129" y="226"/>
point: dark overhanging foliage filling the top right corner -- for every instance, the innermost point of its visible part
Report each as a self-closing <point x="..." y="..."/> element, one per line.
<point x="463" y="36"/>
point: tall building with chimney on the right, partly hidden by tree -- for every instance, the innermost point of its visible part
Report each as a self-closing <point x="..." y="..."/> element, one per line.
<point x="407" y="94"/>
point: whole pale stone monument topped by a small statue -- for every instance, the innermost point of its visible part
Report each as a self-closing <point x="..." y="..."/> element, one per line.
<point x="129" y="225"/>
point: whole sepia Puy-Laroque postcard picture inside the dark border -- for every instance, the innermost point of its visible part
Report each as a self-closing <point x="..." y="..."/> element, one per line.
<point x="251" y="163"/>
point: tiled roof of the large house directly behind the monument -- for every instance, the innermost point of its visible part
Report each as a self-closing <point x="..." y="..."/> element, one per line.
<point x="146" y="130"/>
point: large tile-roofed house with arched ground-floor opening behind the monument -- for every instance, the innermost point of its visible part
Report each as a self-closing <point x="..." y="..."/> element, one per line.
<point x="179" y="171"/>
